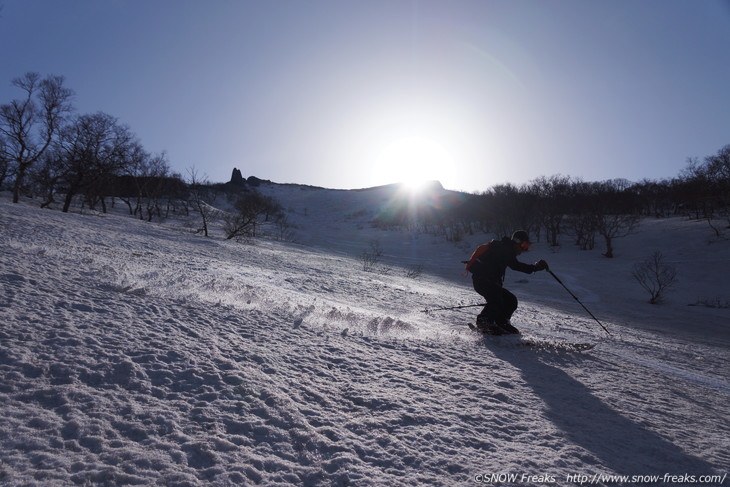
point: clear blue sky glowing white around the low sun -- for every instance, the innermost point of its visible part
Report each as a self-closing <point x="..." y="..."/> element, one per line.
<point x="353" y="94"/>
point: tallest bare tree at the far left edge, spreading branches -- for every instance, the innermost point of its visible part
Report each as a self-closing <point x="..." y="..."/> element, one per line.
<point x="29" y="125"/>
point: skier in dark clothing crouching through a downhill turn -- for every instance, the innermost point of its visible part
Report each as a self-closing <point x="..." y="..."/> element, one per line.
<point x="488" y="265"/>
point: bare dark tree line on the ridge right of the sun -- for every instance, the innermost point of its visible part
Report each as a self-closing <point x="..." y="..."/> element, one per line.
<point x="560" y="207"/>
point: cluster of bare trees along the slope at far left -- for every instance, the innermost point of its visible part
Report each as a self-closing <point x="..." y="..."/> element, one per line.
<point x="48" y="150"/>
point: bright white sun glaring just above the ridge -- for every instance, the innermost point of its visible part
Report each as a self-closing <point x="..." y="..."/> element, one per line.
<point x="413" y="161"/>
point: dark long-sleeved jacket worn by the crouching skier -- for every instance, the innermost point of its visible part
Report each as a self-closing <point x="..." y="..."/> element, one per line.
<point x="490" y="261"/>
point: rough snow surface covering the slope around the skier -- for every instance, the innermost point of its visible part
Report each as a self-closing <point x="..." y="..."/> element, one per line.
<point x="136" y="353"/>
